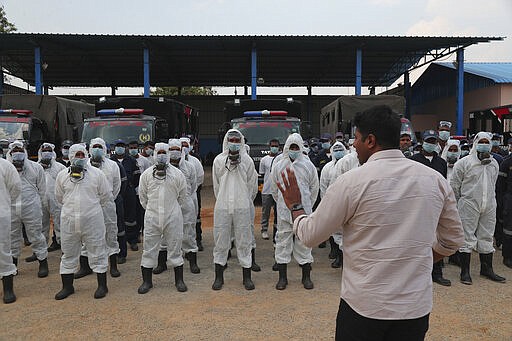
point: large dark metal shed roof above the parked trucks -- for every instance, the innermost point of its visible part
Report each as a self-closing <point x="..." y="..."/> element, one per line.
<point x="116" y="60"/>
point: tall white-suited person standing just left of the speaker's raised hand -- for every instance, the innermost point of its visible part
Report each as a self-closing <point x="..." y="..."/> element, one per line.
<point x="235" y="185"/>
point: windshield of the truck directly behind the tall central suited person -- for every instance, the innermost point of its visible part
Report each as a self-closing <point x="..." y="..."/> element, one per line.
<point x="261" y="132"/>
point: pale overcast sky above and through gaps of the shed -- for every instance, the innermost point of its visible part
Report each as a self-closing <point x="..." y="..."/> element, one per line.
<point x="276" y="17"/>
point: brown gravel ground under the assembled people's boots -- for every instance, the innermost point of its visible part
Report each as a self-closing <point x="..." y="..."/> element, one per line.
<point x="482" y="311"/>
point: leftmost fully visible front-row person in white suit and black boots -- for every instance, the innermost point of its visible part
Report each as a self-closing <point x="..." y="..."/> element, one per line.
<point x="82" y="190"/>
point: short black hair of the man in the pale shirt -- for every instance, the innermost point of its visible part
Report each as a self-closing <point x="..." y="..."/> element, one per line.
<point x="381" y="122"/>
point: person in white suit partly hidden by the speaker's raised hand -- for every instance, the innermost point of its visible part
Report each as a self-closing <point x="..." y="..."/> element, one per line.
<point x="286" y="244"/>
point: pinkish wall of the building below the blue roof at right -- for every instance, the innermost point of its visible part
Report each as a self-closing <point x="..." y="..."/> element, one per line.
<point x="427" y="115"/>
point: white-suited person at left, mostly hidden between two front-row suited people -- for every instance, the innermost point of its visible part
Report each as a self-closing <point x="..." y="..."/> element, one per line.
<point x="46" y="158"/>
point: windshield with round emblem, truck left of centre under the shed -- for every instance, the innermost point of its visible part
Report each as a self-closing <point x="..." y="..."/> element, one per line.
<point x="112" y="130"/>
